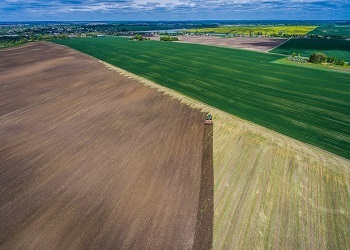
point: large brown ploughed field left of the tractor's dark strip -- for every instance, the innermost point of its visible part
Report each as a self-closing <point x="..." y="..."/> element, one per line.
<point x="92" y="159"/>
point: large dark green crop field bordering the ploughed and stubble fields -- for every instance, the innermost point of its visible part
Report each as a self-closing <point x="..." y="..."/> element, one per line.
<point x="306" y="104"/>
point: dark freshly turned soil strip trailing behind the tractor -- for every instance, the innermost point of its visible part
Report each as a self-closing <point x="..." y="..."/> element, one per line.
<point x="204" y="225"/>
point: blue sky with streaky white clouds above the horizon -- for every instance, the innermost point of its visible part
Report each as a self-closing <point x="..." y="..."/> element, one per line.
<point x="148" y="10"/>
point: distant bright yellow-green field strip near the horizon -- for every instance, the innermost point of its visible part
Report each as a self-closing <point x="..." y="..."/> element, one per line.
<point x="257" y="30"/>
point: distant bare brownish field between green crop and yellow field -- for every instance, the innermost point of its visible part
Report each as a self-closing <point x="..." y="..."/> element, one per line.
<point x="261" y="44"/>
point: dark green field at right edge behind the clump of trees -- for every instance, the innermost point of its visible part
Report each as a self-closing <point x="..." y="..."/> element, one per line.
<point x="339" y="49"/>
